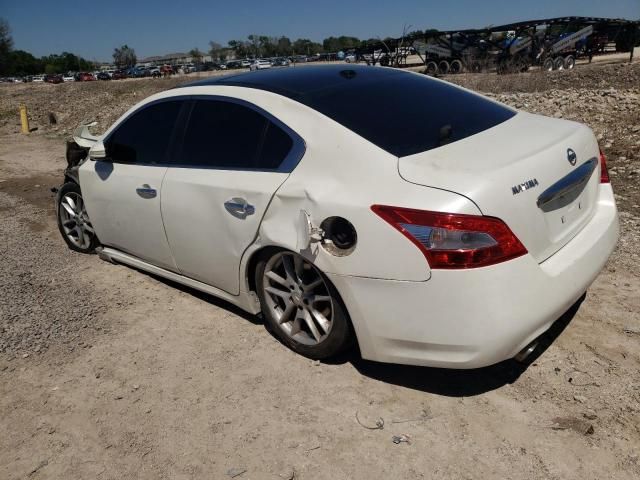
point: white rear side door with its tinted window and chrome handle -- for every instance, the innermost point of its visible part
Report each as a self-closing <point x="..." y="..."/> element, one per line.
<point x="233" y="158"/>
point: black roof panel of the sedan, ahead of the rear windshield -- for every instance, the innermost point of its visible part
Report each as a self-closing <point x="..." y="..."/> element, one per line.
<point x="298" y="82"/>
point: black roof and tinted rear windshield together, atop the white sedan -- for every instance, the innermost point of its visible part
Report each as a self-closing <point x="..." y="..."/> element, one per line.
<point x="401" y="112"/>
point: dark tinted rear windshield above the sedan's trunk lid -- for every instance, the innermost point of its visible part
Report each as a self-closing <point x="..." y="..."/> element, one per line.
<point x="406" y="114"/>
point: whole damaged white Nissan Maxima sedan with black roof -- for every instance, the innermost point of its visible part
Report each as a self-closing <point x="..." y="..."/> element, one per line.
<point x="360" y="205"/>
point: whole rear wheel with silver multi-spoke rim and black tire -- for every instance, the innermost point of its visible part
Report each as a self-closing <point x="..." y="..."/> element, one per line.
<point x="310" y="320"/>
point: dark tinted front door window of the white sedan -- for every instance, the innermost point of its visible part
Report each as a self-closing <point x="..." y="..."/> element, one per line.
<point x="144" y="137"/>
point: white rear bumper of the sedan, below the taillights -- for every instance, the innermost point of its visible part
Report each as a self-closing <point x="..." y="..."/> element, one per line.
<point x="474" y="318"/>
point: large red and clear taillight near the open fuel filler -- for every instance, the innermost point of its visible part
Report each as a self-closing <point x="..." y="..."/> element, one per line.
<point x="453" y="241"/>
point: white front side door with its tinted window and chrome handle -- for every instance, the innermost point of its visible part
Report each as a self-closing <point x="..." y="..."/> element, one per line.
<point x="122" y="192"/>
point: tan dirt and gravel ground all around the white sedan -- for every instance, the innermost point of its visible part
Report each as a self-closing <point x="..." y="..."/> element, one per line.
<point x="109" y="373"/>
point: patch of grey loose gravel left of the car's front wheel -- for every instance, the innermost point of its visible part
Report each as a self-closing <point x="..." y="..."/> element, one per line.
<point x="42" y="299"/>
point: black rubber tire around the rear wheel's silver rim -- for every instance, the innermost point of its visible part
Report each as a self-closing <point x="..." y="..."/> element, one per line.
<point x="339" y="337"/>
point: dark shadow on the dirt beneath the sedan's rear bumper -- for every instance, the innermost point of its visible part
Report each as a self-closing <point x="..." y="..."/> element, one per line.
<point x="458" y="383"/>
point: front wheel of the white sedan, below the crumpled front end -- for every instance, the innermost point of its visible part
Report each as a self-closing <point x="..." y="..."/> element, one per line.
<point x="73" y="222"/>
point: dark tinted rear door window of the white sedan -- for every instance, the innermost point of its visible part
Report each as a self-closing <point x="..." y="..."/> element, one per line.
<point x="224" y="134"/>
